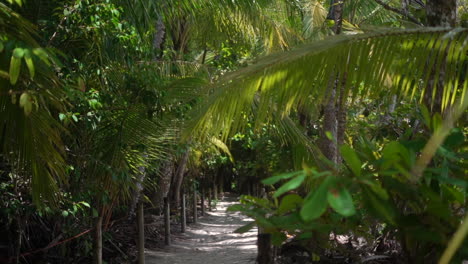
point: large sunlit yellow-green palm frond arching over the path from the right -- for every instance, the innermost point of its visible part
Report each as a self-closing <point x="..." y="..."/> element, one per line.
<point x="399" y="62"/>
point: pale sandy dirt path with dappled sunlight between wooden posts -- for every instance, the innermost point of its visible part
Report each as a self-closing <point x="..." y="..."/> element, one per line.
<point x="211" y="241"/>
